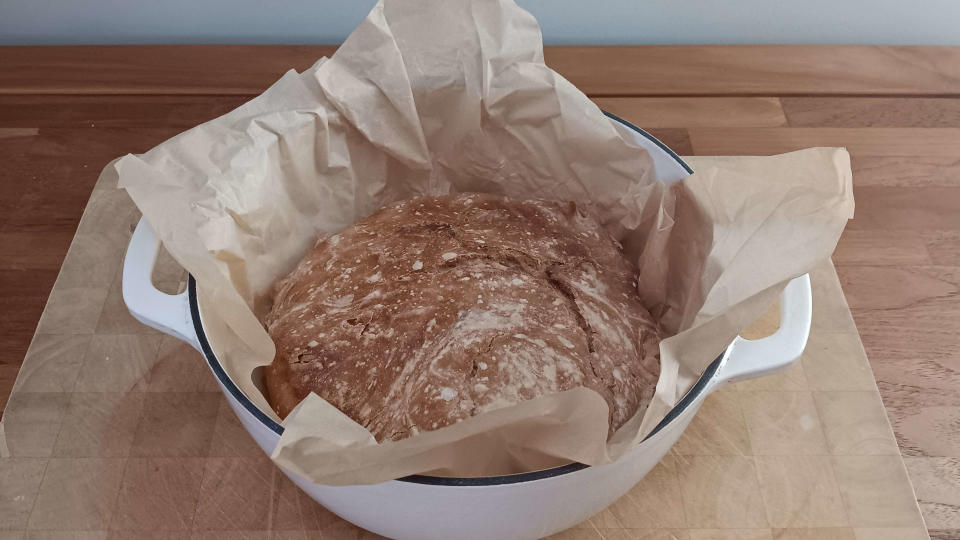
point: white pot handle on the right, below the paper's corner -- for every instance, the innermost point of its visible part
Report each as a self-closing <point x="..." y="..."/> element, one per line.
<point x="749" y="359"/>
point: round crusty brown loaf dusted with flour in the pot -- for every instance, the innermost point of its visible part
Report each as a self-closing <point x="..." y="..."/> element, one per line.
<point x="436" y="309"/>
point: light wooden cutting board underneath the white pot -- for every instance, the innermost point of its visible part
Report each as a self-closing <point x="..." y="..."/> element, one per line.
<point x="118" y="431"/>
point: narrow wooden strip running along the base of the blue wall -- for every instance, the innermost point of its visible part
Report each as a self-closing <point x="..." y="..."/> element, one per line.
<point x="690" y="70"/>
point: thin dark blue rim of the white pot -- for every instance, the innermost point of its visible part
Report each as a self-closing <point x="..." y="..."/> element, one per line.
<point x="227" y="383"/>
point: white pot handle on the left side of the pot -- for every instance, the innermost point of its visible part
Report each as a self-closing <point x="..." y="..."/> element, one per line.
<point x="168" y="313"/>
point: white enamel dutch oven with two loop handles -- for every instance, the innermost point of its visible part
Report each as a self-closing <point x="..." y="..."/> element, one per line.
<point x="529" y="505"/>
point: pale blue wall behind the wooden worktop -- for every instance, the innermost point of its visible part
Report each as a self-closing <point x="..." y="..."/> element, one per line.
<point x="935" y="22"/>
